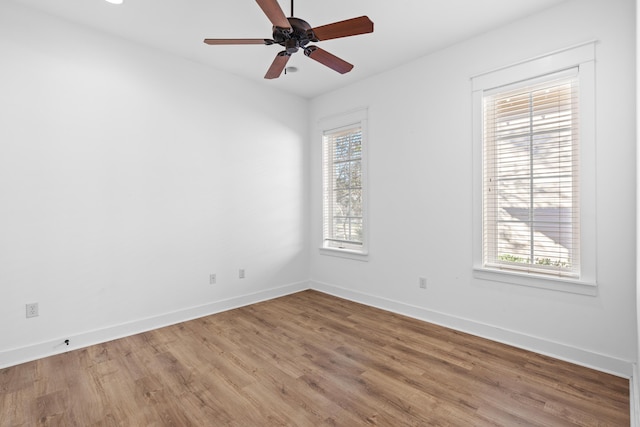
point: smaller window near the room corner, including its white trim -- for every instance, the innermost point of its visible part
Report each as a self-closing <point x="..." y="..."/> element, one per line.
<point x="344" y="225"/>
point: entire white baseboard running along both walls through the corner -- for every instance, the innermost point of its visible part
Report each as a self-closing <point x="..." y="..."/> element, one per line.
<point x="558" y="350"/>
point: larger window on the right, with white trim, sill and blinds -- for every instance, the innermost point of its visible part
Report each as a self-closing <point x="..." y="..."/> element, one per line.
<point x="534" y="155"/>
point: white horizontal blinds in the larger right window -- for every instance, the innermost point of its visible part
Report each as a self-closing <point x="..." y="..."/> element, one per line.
<point x="531" y="215"/>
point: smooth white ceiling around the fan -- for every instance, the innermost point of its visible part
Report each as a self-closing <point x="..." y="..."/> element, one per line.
<point x="403" y="31"/>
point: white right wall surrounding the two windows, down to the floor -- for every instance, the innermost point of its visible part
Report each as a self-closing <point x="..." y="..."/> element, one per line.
<point x="420" y="193"/>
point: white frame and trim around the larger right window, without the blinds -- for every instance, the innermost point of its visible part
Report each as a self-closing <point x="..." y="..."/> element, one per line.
<point x="581" y="57"/>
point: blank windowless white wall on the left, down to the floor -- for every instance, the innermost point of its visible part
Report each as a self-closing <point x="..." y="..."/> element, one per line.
<point x="127" y="176"/>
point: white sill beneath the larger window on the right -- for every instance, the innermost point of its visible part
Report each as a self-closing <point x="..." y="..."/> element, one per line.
<point x="537" y="281"/>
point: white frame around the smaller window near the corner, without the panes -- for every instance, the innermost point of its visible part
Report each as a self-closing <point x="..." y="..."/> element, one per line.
<point x="327" y="125"/>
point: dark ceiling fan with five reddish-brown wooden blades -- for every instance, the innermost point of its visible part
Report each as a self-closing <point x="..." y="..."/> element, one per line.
<point x="294" y="34"/>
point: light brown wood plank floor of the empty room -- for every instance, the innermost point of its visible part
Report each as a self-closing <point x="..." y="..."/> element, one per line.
<point x="308" y="359"/>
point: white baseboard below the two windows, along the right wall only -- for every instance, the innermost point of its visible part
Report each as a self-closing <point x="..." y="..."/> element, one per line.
<point x="557" y="350"/>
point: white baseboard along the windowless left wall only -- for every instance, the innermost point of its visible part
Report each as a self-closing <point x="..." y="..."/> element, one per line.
<point x="49" y="348"/>
